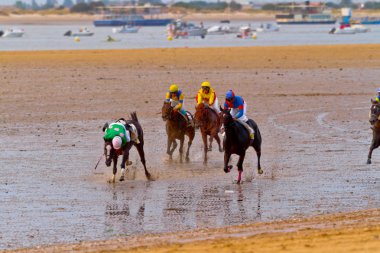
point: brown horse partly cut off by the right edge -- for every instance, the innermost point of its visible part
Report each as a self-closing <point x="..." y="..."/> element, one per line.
<point x="375" y="122"/>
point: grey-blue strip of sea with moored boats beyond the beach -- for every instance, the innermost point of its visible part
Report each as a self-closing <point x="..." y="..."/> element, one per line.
<point x="50" y="37"/>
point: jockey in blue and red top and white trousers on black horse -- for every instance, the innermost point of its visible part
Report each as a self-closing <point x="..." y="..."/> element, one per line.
<point x="238" y="110"/>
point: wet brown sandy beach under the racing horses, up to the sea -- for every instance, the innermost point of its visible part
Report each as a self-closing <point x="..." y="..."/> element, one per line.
<point x="311" y="104"/>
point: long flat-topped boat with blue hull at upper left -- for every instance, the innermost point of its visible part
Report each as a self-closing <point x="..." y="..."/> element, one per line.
<point x="131" y="15"/>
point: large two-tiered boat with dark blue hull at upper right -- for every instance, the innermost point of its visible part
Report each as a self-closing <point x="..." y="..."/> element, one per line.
<point x="310" y="13"/>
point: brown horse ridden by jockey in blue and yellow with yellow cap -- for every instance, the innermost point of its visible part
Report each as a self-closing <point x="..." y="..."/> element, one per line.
<point x="176" y="128"/>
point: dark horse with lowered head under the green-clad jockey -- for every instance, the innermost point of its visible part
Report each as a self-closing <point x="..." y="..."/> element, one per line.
<point x="112" y="155"/>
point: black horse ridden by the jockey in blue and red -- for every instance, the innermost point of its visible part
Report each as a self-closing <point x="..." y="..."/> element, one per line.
<point x="237" y="141"/>
